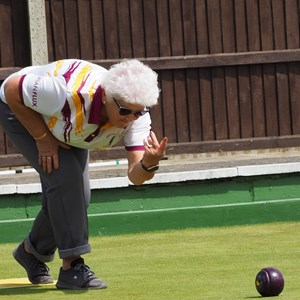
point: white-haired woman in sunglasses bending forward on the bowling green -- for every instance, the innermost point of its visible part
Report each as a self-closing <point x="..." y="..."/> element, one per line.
<point x="54" y="114"/>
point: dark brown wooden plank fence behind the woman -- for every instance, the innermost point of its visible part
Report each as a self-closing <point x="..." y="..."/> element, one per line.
<point x="229" y="70"/>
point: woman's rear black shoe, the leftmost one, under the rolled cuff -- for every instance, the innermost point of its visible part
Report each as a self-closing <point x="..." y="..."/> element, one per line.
<point x="37" y="271"/>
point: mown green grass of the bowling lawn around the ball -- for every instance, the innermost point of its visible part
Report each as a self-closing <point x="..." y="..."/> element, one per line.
<point x="214" y="263"/>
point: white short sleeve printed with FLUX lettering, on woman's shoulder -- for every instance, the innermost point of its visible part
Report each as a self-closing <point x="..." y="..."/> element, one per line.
<point x="44" y="94"/>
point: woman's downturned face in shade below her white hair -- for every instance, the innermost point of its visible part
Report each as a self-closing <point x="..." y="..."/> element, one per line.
<point x="113" y="109"/>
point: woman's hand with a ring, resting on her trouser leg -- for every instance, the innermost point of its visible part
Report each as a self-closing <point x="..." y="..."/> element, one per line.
<point x="48" y="152"/>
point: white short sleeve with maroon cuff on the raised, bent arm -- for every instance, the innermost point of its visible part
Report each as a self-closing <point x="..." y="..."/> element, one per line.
<point x="138" y="131"/>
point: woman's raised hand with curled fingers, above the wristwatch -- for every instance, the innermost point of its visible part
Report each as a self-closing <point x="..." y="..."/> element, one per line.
<point x="154" y="150"/>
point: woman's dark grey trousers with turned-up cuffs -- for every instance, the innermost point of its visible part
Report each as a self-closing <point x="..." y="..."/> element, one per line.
<point x="62" y="221"/>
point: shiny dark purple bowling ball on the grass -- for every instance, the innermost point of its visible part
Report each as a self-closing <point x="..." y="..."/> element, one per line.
<point x="269" y="282"/>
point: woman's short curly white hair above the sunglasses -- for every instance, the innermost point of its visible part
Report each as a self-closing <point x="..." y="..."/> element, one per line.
<point x="133" y="82"/>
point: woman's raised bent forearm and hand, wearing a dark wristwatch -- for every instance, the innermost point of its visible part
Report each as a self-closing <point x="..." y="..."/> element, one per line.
<point x="141" y="164"/>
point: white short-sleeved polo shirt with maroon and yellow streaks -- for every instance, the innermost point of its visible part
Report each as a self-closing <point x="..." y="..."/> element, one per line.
<point x="68" y="94"/>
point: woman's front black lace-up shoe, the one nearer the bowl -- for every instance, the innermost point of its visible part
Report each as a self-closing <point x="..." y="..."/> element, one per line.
<point x="79" y="277"/>
